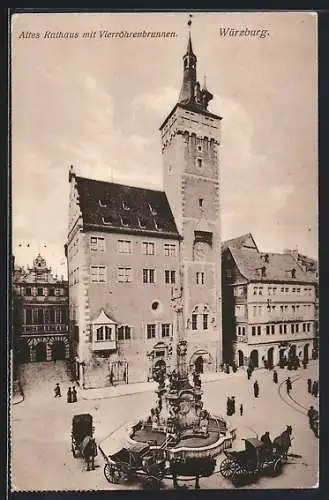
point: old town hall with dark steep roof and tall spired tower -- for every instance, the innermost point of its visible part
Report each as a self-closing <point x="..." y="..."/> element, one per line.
<point x="131" y="250"/>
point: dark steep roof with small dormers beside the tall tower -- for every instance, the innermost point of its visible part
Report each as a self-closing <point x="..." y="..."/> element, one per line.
<point x="117" y="207"/>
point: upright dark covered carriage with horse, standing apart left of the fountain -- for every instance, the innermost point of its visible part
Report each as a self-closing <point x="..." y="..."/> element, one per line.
<point x="82" y="441"/>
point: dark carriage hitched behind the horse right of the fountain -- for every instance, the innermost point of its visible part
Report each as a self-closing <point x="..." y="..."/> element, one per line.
<point x="243" y="467"/>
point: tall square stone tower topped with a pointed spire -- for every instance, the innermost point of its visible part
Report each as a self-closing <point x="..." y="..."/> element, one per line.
<point x="190" y="137"/>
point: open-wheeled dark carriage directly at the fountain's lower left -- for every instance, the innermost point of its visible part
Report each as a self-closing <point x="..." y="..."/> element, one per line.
<point x="136" y="461"/>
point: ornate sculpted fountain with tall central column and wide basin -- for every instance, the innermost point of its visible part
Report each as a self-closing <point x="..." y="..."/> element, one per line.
<point x="178" y="422"/>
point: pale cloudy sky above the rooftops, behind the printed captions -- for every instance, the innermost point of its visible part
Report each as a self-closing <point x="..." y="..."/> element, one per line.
<point x="97" y="104"/>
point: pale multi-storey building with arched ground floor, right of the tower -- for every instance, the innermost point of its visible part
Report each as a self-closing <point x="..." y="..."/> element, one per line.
<point x="268" y="305"/>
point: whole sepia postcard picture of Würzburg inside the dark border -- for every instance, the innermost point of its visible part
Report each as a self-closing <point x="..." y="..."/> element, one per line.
<point x="164" y="256"/>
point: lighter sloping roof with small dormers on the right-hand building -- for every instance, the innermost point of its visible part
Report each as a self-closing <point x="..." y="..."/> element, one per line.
<point x="249" y="261"/>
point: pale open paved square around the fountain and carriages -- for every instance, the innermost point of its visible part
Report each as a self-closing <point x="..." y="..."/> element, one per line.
<point x="41" y="428"/>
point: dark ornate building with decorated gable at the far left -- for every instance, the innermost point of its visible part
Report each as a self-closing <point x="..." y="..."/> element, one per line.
<point x="40" y="322"/>
